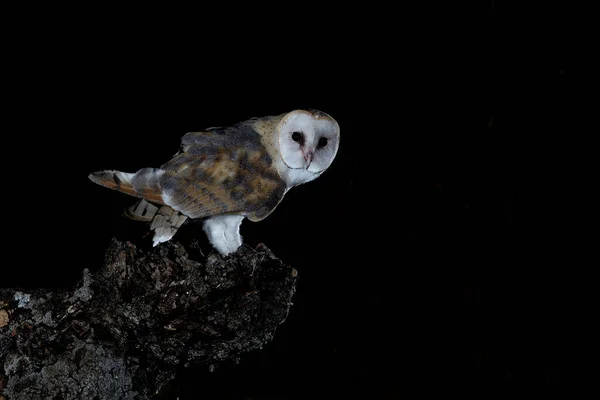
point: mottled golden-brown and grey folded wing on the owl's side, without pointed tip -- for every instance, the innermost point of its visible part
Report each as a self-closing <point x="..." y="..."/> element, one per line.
<point x="221" y="171"/>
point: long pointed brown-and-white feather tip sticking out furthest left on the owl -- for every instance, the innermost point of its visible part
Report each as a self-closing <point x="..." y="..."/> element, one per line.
<point x="144" y="183"/>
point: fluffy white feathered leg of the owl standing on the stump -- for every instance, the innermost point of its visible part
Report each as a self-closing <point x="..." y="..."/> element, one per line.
<point x="223" y="232"/>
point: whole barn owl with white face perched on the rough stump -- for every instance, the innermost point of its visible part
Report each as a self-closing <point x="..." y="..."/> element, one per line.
<point x="224" y="175"/>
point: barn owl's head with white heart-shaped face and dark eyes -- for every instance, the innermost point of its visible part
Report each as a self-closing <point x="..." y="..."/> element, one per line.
<point x="308" y="140"/>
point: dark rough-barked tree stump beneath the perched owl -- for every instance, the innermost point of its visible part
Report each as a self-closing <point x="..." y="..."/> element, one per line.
<point x="125" y="329"/>
